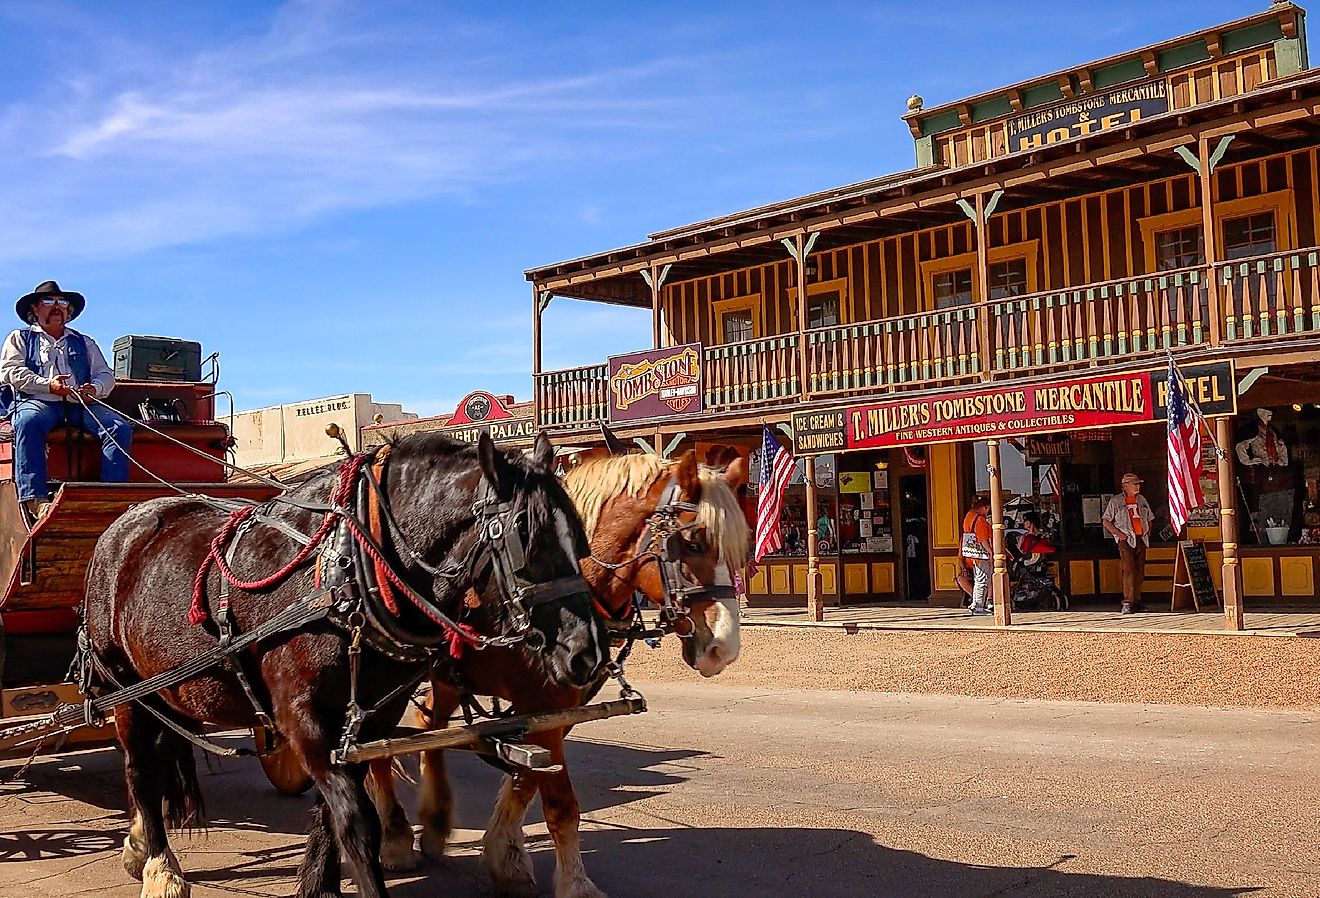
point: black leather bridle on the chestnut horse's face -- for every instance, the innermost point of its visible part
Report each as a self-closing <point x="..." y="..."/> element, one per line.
<point x="663" y="542"/>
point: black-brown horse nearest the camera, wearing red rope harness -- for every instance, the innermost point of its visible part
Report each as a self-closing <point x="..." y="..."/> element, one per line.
<point x="467" y="532"/>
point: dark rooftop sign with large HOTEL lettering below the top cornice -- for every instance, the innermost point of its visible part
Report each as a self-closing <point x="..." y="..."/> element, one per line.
<point x="1087" y="116"/>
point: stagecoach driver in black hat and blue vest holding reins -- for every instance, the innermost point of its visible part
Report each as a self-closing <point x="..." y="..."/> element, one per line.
<point x="51" y="366"/>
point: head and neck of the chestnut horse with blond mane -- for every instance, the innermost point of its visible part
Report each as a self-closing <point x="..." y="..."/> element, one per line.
<point x="673" y="530"/>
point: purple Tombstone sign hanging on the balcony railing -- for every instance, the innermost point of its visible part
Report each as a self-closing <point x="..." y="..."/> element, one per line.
<point x="655" y="384"/>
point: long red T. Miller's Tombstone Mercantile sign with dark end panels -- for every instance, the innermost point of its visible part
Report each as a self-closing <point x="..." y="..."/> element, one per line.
<point x="1117" y="399"/>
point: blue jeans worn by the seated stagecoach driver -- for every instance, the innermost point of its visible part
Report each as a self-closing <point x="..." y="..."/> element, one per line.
<point x="34" y="421"/>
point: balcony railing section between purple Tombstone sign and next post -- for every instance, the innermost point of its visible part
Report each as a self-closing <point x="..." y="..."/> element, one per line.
<point x="752" y="373"/>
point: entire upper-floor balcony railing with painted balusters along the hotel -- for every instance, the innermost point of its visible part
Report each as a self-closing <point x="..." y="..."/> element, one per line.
<point x="1230" y="310"/>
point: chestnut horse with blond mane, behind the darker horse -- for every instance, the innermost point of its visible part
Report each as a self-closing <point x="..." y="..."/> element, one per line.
<point x="621" y="501"/>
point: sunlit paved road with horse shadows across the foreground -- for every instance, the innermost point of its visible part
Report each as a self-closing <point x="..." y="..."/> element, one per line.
<point x="733" y="792"/>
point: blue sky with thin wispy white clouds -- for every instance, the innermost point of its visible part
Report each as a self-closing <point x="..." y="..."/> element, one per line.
<point x="343" y="197"/>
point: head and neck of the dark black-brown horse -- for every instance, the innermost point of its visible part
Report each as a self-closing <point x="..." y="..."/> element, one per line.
<point x="517" y="539"/>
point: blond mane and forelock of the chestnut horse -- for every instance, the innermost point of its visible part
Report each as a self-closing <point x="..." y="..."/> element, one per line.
<point x="593" y="484"/>
